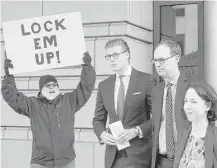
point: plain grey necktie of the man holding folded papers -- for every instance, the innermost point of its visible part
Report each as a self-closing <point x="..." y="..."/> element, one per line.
<point x="120" y="99"/>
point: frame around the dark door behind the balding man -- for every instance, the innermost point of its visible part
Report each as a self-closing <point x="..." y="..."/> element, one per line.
<point x="156" y="27"/>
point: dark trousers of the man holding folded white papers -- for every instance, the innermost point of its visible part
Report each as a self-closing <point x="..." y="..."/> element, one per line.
<point x="122" y="161"/>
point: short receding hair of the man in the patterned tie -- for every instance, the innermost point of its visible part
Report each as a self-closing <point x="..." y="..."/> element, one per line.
<point x="174" y="47"/>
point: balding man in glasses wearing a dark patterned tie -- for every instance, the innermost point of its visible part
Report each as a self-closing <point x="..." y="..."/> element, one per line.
<point x="169" y="121"/>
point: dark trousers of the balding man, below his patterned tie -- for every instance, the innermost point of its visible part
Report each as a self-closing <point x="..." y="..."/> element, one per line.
<point x="164" y="162"/>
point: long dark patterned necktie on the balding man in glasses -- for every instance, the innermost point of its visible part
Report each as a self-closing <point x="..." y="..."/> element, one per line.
<point x="169" y="122"/>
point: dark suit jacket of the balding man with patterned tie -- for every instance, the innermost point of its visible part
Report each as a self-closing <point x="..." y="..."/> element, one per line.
<point x="180" y="117"/>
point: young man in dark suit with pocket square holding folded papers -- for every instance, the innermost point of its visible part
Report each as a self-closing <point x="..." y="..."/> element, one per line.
<point x="124" y="96"/>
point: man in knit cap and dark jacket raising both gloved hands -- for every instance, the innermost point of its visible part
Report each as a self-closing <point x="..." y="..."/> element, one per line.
<point x="51" y="115"/>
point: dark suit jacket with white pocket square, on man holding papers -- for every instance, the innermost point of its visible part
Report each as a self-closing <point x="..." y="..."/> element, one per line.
<point x="137" y="110"/>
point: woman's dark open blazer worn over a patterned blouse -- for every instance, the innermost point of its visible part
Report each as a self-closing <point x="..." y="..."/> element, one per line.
<point x="210" y="147"/>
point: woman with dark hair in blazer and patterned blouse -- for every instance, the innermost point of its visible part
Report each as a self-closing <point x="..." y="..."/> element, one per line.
<point x="197" y="147"/>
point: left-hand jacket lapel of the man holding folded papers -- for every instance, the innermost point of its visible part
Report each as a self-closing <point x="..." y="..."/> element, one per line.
<point x="110" y="87"/>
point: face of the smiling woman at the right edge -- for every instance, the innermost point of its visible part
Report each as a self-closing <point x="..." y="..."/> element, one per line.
<point x="194" y="106"/>
